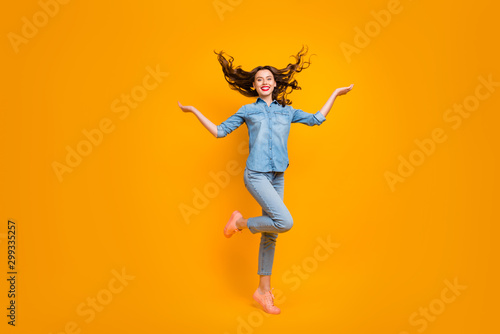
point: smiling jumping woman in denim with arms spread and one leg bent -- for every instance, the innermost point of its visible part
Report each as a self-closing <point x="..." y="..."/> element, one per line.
<point x="268" y="120"/>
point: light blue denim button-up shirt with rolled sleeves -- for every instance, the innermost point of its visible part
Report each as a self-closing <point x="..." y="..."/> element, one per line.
<point x="268" y="129"/>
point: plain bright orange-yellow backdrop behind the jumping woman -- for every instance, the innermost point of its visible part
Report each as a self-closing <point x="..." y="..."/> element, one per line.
<point x="121" y="206"/>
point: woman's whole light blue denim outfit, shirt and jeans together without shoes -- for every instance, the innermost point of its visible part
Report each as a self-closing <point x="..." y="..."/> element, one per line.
<point x="268" y="130"/>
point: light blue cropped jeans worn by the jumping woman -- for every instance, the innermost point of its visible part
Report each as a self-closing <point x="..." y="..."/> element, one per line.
<point x="267" y="188"/>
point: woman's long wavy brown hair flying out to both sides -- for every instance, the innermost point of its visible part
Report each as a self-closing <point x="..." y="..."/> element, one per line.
<point x="242" y="80"/>
